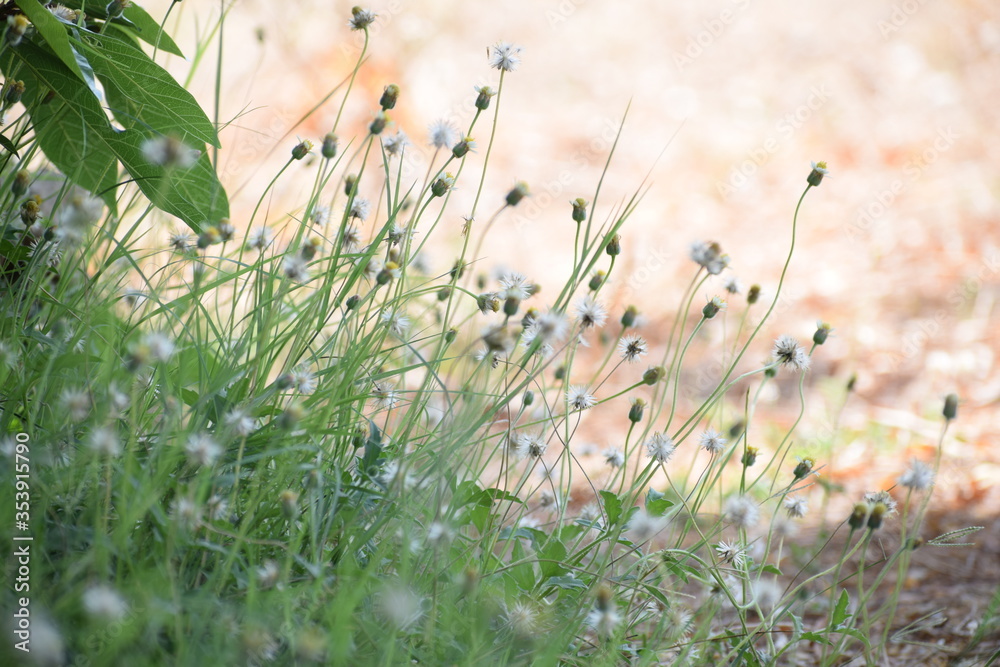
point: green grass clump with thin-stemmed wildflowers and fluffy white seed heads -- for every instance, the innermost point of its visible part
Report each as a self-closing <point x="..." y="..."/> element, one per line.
<point x="315" y="451"/>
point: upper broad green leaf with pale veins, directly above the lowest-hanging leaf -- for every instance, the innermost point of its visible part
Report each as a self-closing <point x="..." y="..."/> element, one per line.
<point x="143" y="94"/>
